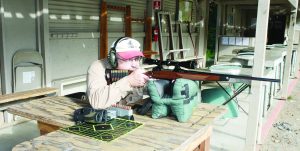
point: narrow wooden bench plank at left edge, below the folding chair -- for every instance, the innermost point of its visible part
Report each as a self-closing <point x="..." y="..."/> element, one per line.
<point x="7" y="100"/>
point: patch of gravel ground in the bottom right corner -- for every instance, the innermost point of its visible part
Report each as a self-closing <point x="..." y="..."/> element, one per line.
<point x="285" y="133"/>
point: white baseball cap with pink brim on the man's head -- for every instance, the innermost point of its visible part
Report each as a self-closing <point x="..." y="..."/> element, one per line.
<point x="128" y="48"/>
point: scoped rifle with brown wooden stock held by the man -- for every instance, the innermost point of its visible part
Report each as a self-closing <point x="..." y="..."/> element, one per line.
<point x="180" y="71"/>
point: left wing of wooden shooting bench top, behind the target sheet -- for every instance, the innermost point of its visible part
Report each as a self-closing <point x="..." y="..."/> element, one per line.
<point x="54" y="110"/>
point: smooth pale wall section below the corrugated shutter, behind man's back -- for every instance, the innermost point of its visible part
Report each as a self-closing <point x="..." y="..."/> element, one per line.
<point x="72" y="57"/>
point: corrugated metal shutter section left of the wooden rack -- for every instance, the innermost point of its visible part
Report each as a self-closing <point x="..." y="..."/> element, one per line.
<point x="73" y="15"/>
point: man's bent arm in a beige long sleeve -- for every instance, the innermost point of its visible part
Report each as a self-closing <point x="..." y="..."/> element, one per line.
<point x="99" y="93"/>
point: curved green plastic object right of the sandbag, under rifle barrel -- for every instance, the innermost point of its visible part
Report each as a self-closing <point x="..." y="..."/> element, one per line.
<point x="218" y="96"/>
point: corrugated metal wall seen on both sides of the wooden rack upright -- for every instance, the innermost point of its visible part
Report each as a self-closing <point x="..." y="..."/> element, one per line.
<point x="83" y="15"/>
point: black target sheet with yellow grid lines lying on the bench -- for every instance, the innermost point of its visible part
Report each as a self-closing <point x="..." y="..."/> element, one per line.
<point x="106" y="131"/>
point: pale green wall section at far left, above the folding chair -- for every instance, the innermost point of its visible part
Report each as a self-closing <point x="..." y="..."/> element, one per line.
<point x="19" y="28"/>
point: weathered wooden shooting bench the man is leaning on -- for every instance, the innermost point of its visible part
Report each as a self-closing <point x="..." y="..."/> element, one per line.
<point x="154" y="134"/>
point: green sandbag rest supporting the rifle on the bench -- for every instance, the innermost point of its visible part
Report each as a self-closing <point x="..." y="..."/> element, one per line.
<point x="179" y="97"/>
